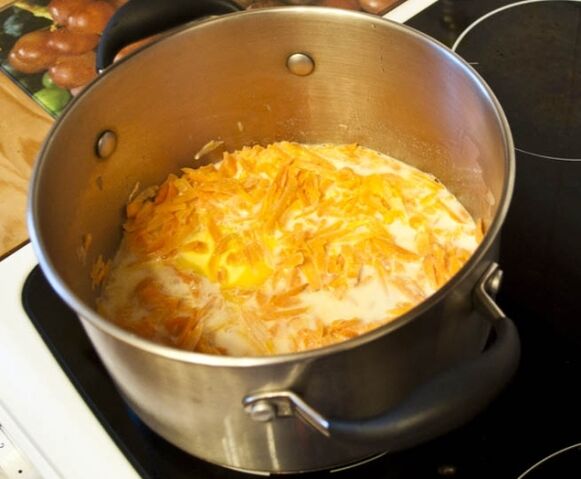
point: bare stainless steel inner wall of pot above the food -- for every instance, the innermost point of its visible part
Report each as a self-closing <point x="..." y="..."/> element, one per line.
<point x="226" y="79"/>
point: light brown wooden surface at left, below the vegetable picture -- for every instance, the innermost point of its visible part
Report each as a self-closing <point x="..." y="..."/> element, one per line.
<point x="23" y="127"/>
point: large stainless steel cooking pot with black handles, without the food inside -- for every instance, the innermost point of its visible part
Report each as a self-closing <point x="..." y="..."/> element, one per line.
<point x="308" y="75"/>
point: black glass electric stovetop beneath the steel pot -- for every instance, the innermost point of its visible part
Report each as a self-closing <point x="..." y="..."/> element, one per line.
<point x="530" y="54"/>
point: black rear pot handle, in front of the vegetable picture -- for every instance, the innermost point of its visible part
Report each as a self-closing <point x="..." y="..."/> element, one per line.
<point x="139" y="19"/>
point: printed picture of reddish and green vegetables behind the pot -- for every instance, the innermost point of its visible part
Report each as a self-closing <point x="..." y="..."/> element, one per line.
<point x="48" y="46"/>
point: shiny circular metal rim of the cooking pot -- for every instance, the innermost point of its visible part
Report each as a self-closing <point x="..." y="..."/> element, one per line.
<point x="88" y="315"/>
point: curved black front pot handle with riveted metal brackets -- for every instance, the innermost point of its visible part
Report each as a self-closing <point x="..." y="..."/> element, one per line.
<point x="444" y="403"/>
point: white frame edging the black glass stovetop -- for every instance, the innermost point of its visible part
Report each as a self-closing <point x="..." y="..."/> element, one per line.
<point x="40" y="410"/>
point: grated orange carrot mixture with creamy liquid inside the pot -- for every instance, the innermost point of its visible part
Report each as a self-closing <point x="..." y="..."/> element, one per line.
<point x="284" y="248"/>
